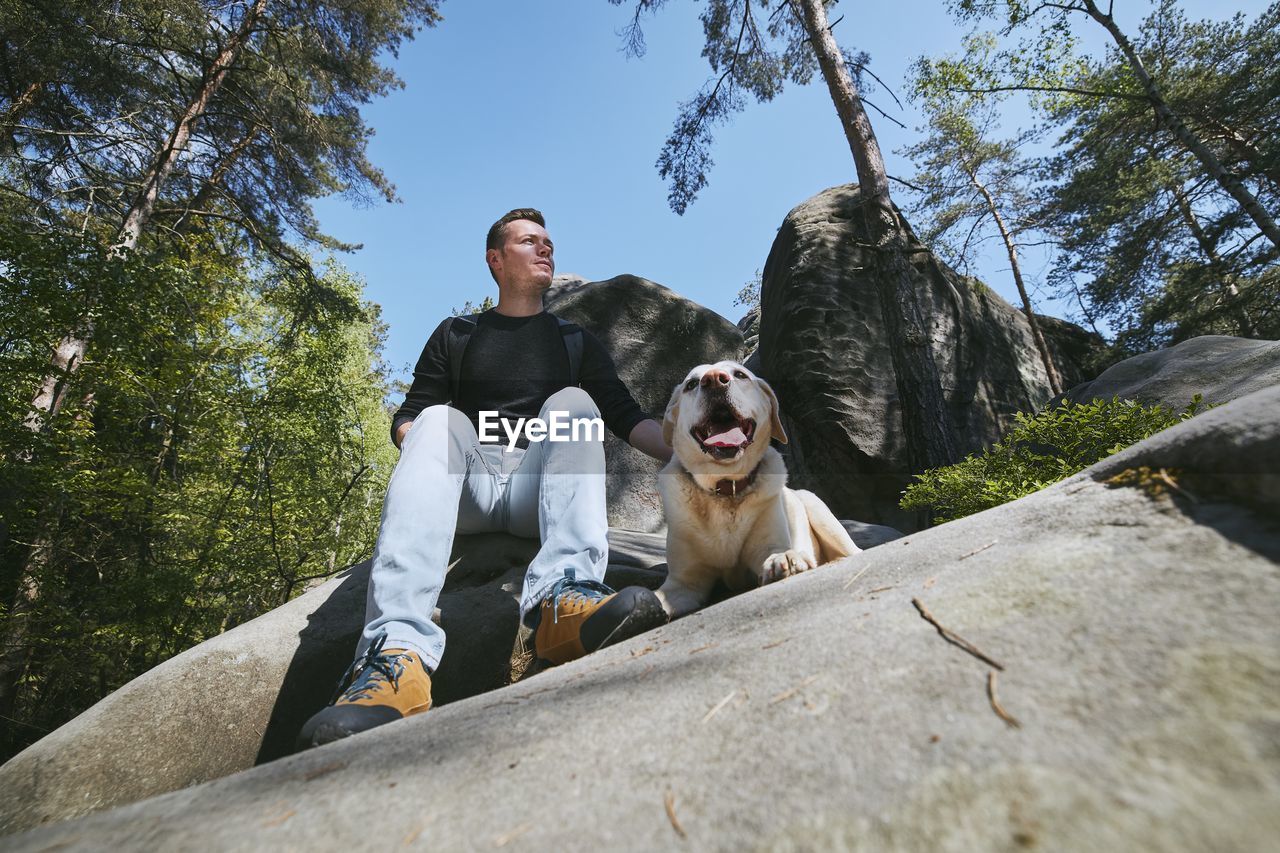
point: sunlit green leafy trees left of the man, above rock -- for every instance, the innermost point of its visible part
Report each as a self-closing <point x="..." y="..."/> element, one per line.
<point x="235" y="446"/>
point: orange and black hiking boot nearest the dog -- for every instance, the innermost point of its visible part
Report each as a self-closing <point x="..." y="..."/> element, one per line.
<point x="580" y="617"/>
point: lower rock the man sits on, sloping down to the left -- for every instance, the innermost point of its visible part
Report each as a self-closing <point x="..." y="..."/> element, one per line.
<point x="240" y="699"/>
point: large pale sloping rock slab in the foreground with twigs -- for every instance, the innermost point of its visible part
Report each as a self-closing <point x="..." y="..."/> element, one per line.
<point x="1135" y="623"/>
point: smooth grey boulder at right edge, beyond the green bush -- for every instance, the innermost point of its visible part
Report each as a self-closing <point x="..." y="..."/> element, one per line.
<point x="1217" y="367"/>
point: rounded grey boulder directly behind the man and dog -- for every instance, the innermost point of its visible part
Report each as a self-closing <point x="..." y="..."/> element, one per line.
<point x="655" y="337"/>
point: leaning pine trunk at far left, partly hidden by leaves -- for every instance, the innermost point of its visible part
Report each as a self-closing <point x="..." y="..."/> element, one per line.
<point x="16" y="644"/>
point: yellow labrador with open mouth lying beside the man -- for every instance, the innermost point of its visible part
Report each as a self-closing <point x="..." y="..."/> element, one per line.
<point x="730" y="516"/>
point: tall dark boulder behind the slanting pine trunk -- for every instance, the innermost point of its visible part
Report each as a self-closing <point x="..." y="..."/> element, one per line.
<point x="824" y="349"/>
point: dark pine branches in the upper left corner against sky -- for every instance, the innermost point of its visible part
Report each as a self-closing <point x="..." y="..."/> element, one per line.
<point x="93" y="92"/>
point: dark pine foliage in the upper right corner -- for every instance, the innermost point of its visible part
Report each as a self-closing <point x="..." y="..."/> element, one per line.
<point x="1158" y="249"/>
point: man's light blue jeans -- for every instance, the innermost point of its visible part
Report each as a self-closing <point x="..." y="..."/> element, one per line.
<point x="447" y="482"/>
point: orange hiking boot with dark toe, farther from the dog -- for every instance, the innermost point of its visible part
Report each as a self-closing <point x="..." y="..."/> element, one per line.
<point x="382" y="687"/>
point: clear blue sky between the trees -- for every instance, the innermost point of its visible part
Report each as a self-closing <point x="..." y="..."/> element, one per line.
<point x="532" y="103"/>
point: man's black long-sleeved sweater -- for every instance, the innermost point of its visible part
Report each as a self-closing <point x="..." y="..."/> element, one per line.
<point x="511" y="366"/>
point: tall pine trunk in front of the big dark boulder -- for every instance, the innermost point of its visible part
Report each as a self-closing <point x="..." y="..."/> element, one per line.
<point x="926" y="419"/>
